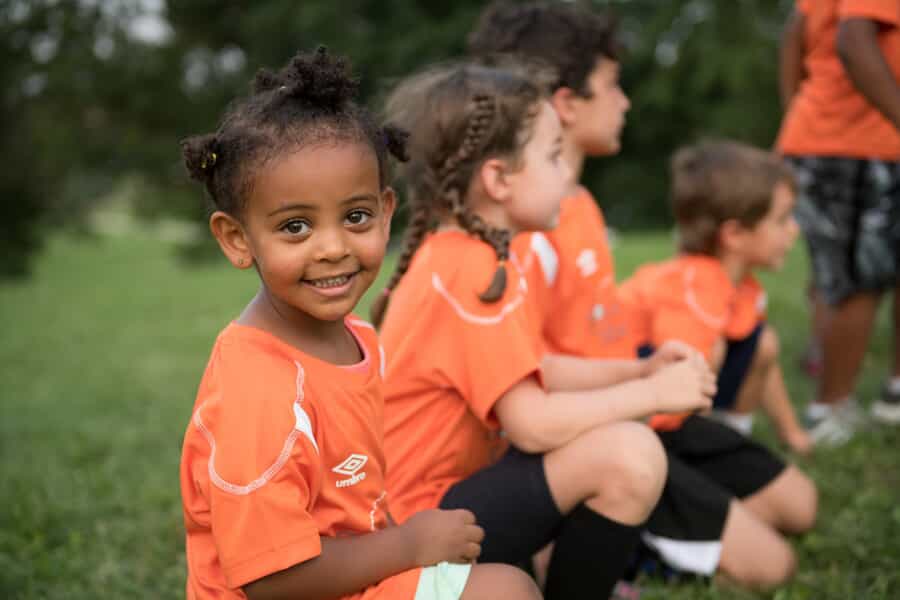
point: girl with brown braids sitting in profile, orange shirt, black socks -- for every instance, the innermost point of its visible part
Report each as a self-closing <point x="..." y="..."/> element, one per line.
<point x="463" y="358"/>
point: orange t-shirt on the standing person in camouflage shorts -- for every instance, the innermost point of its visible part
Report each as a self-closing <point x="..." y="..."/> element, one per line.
<point x="828" y="116"/>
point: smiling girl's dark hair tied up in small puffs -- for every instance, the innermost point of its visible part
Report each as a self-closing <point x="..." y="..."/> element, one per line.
<point x="309" y="101"/>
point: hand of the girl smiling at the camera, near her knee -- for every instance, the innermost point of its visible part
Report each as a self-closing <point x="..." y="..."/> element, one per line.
<point x="444" y="535"/>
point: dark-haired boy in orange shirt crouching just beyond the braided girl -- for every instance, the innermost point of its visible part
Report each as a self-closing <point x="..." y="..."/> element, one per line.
<point x="700" y="525"/>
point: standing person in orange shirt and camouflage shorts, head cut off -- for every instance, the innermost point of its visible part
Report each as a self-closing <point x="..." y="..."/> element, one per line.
<point x="841" y="134"/>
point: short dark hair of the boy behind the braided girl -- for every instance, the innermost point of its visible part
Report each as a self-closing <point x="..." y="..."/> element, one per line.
<point x="567" y="37"/>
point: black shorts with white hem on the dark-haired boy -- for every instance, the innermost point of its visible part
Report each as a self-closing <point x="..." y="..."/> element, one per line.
<point x="709" y="465"/>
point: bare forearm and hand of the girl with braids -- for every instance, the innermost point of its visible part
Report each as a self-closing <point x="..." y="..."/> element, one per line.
<point x="538" y="421"/>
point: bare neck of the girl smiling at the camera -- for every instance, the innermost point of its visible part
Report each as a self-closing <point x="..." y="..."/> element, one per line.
<point x="329" y="341"/>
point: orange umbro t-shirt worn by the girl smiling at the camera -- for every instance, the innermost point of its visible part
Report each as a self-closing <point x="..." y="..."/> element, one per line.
<point x="282" y="449"/>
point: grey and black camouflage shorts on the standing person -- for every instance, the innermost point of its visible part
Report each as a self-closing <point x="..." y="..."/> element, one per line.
<point x="849" y="211"/>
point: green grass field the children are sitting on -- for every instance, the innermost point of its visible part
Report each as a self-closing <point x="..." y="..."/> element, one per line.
<point x="101" y="355"/>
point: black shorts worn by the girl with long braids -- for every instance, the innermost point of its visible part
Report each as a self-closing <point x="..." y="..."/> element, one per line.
<point x="511" y="500"/>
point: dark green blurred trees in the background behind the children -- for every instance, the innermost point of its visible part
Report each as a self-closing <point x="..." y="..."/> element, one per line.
<point x="99" y="92"/>
